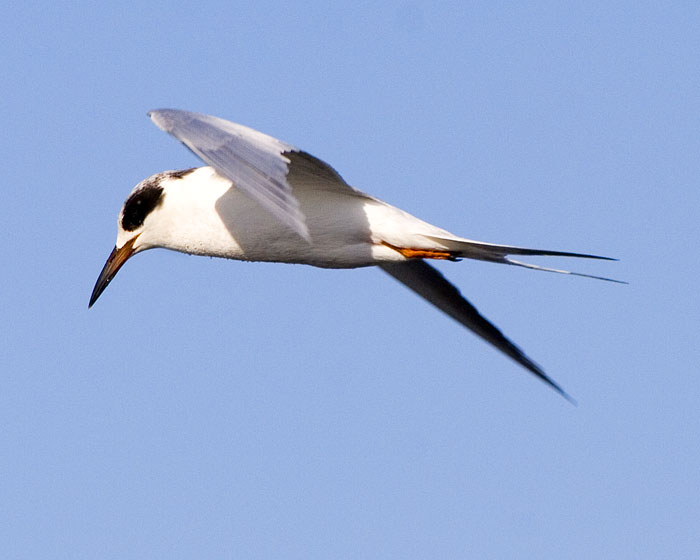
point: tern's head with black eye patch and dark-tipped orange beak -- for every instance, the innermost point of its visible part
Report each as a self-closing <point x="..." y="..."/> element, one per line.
<point x="141" y="225"/>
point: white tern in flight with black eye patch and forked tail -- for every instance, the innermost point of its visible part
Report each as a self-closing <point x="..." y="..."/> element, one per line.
<point x="261" y="199"/>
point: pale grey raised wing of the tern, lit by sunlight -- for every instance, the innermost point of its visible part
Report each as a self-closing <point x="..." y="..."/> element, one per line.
<point x="263" y="167"/>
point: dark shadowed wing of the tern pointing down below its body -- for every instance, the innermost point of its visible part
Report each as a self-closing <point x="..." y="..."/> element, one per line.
<point x="430" y="284"/>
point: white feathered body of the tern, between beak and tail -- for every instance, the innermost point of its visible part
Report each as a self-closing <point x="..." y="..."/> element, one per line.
<point x="202" y="214"/>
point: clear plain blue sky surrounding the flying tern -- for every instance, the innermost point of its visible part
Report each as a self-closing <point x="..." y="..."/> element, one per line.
<point x="217" y="409"/>
